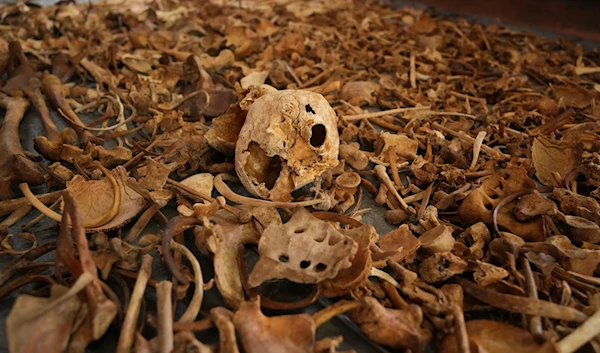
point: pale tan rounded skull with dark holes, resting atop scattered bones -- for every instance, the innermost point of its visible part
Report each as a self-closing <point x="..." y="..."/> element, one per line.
<point x="289" y="138"/>
